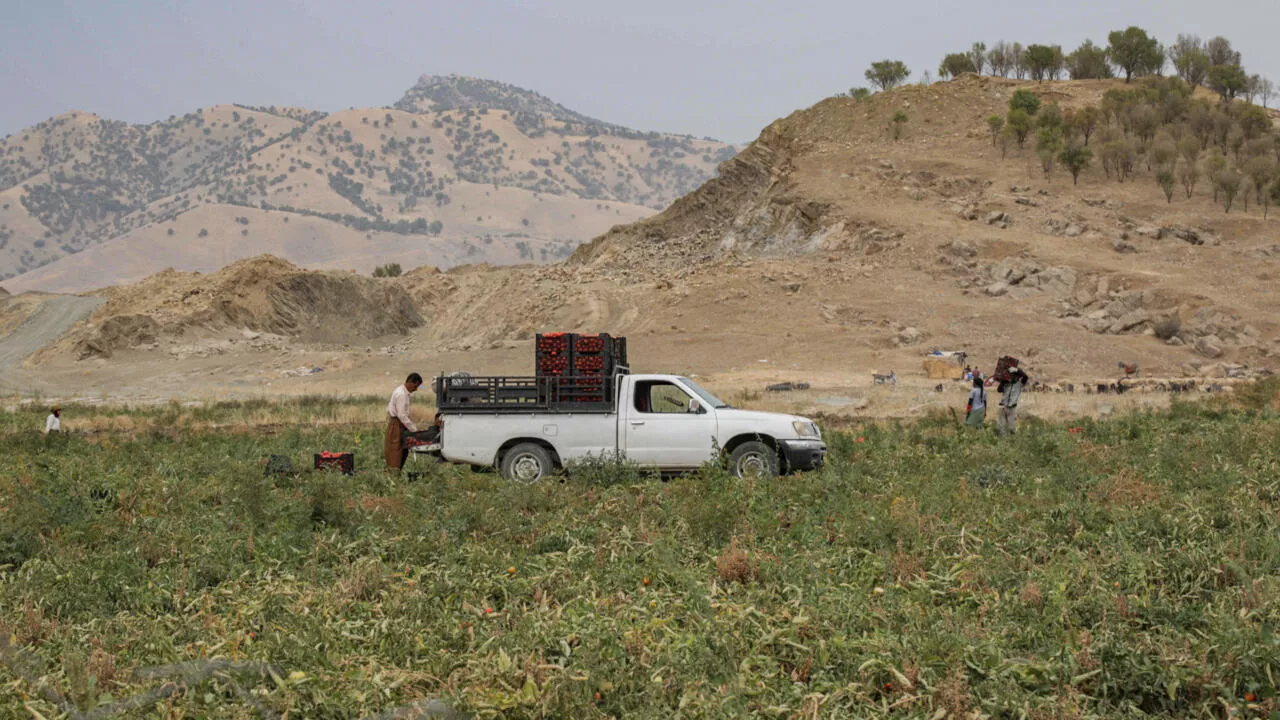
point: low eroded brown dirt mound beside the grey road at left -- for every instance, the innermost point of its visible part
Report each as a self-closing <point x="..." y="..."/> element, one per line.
<point x="263" y="294"/>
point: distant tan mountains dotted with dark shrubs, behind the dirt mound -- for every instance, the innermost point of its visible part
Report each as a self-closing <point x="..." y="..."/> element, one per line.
<point x="461" y="171"/>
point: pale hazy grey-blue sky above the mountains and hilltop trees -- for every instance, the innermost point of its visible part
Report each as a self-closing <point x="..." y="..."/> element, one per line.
<point x="702" y="67"/>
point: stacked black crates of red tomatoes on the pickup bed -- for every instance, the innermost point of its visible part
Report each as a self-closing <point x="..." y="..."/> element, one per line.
<point x="583" y="364"/>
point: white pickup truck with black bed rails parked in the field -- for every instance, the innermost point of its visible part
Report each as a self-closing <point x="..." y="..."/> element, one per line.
<point x="529" y="429"/>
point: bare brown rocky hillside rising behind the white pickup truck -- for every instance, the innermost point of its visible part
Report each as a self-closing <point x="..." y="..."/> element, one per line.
<point x="829" y="250"/>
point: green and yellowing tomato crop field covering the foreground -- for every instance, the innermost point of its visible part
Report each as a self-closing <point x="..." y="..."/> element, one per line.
<point x="939" y="569"/>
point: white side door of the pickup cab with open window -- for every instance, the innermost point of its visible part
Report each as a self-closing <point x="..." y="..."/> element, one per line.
<point x="664" y="431"/>
